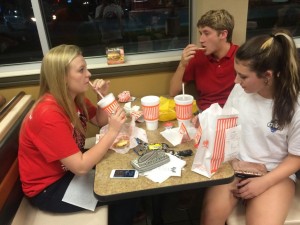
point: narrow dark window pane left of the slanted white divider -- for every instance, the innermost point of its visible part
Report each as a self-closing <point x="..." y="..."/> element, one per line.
<point x="19" y="40"/>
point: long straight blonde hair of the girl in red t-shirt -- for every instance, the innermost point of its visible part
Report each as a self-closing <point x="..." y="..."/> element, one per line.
<point x="53" y="80"/>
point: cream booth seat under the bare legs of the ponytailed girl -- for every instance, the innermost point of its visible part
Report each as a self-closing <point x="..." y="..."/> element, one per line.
<point x="237" y="217"/>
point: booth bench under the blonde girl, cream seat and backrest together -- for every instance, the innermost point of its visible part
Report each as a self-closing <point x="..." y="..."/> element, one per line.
<point x="14" y="208"/>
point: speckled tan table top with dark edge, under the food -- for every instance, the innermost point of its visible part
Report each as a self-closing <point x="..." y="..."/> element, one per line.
<point x="107" y="189"/>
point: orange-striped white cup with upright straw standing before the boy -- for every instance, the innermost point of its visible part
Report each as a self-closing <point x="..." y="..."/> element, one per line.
<point x="184" y="109"/>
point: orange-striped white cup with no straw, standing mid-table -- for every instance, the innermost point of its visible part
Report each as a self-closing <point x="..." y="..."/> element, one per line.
<point x="150" y="107"/>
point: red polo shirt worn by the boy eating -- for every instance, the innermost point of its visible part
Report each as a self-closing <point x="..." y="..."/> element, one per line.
<point x="213" y="78"/>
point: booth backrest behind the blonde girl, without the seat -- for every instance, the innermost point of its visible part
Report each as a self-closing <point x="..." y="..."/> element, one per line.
<point x="11" y="117"/>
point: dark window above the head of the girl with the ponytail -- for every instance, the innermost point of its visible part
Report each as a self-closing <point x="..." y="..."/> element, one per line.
<point x="264" y="15"/>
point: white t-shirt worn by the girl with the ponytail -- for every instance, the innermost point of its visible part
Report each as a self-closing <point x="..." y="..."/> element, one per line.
<point x="260" y="143"/>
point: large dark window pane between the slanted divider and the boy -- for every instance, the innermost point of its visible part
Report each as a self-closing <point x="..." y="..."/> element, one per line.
<point x="139" y="26"/>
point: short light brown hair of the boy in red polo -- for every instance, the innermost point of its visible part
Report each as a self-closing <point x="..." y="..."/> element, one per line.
<point x="218" y="20"/>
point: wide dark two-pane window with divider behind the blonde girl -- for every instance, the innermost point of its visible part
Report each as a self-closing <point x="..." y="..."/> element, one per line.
<point x="147" y="26"/>
